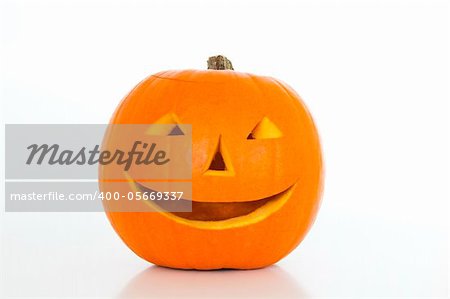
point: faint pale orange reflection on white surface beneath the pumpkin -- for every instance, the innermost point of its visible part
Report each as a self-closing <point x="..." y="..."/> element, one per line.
<point x="158" y="282"/>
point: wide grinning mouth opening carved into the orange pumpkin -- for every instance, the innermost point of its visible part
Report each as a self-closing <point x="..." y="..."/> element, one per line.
<point x="218" y="211"/>
